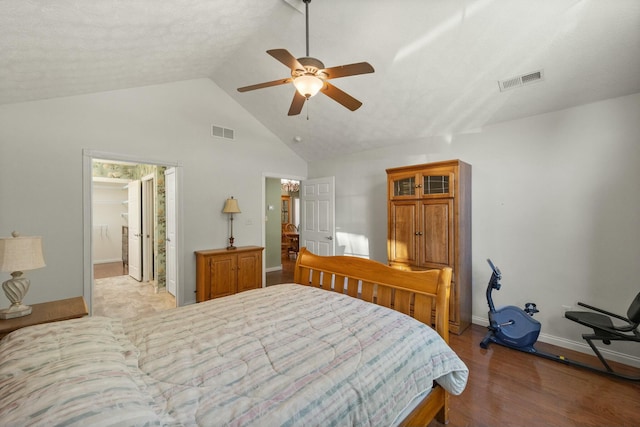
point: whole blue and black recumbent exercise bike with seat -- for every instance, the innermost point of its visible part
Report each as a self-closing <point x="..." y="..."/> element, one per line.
<point x="516" y="328"/>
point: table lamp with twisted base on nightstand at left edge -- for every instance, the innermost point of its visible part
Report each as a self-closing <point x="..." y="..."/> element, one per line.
<point x="18" y="254"/>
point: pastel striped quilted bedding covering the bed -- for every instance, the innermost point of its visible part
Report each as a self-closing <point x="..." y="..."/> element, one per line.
<point x="286" y="355"/>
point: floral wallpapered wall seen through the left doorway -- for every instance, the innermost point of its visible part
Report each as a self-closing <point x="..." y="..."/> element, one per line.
<point x="136" y="172"/>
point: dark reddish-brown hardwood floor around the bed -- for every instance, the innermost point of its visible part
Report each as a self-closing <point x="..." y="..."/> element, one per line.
<point x="510" y="388"/>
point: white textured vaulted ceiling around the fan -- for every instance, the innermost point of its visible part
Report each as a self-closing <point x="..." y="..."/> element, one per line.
<point x="437" y="62"/>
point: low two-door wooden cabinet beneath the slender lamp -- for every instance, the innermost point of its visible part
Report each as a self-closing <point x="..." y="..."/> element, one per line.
<point x="222" y="272"/>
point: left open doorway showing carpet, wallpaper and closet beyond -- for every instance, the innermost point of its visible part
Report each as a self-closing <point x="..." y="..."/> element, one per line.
<point x="128" y="251"/>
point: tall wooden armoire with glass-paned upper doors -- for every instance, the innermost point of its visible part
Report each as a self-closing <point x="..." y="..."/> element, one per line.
<point x="429" y="226"/>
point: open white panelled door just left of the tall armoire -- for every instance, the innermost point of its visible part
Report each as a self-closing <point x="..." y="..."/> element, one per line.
<point x="317" y="226"/>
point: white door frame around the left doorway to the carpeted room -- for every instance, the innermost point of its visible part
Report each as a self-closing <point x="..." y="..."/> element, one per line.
<point x="87" y="221"/>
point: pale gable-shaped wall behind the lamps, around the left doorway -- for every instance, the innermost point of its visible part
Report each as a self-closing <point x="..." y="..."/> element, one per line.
<point x="41" y="160"/>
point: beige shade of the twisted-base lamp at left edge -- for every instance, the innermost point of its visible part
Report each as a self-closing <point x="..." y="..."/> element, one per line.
<point x="20" y="253"/>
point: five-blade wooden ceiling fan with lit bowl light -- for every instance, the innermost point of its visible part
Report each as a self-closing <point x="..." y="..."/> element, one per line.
<point x="309" y="76"/>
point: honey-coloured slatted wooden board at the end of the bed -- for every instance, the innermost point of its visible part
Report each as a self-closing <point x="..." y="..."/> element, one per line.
<point x="423" y="295"/>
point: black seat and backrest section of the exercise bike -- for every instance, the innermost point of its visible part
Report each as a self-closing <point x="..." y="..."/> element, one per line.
<point x="605" y="330"/>
